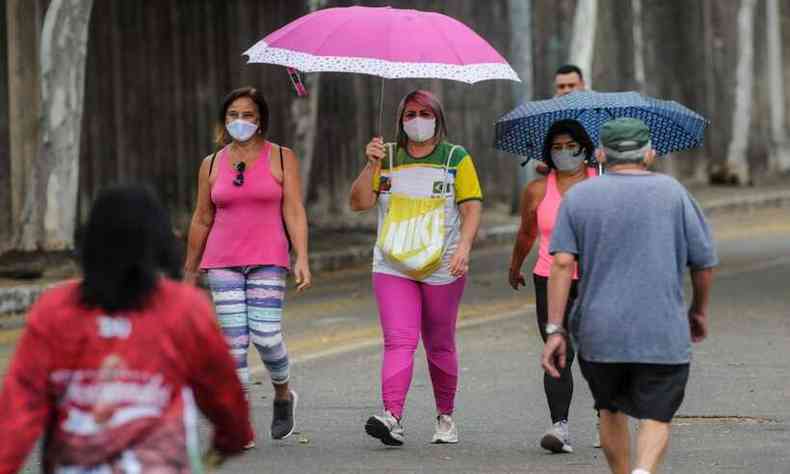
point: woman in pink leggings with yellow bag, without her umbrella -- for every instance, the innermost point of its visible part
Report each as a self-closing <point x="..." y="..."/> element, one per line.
<point x="428" y="199"/>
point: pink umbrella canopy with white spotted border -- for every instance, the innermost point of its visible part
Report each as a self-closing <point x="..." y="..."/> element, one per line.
<point x="385" y="42"/>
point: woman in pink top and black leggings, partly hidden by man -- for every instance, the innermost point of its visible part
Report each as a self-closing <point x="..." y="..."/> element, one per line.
<point x="567" y="149"/>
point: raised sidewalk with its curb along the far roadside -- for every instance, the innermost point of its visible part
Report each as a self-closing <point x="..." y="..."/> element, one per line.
<point x="343" y="248"/>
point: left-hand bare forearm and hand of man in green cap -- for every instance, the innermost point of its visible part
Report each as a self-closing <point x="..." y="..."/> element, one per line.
<point x="559" y="287"/>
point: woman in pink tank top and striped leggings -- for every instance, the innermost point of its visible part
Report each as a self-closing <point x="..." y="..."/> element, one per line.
<point x="249" y="211"/>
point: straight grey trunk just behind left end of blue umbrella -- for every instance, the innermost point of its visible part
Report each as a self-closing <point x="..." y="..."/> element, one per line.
<point x="521" y="61"/>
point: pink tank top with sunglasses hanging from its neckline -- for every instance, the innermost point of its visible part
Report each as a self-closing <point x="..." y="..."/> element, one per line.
<point x="248" y="221"/>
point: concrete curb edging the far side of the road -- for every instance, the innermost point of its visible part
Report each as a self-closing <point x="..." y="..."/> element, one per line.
<point x="18" y="298"/>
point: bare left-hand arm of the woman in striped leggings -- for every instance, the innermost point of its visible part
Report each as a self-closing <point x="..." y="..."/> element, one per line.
<point x="202" y="220"/>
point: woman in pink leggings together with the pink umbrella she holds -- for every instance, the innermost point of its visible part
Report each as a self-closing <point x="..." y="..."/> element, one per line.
<point x="425" y="189"/>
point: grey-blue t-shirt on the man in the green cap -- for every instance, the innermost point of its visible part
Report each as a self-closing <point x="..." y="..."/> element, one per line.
<point x="633" y="235"/>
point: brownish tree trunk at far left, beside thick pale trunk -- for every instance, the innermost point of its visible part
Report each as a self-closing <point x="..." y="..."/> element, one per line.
<point x="23" y="24"/>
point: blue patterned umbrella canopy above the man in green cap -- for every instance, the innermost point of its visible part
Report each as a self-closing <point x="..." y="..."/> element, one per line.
<point x="673" y="126"/>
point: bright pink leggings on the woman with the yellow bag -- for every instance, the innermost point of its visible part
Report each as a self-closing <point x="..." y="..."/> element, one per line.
<point x="408" y="308"/>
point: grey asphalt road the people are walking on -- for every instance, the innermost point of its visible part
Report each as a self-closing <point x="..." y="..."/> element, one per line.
<point x="736" y="416"/>
